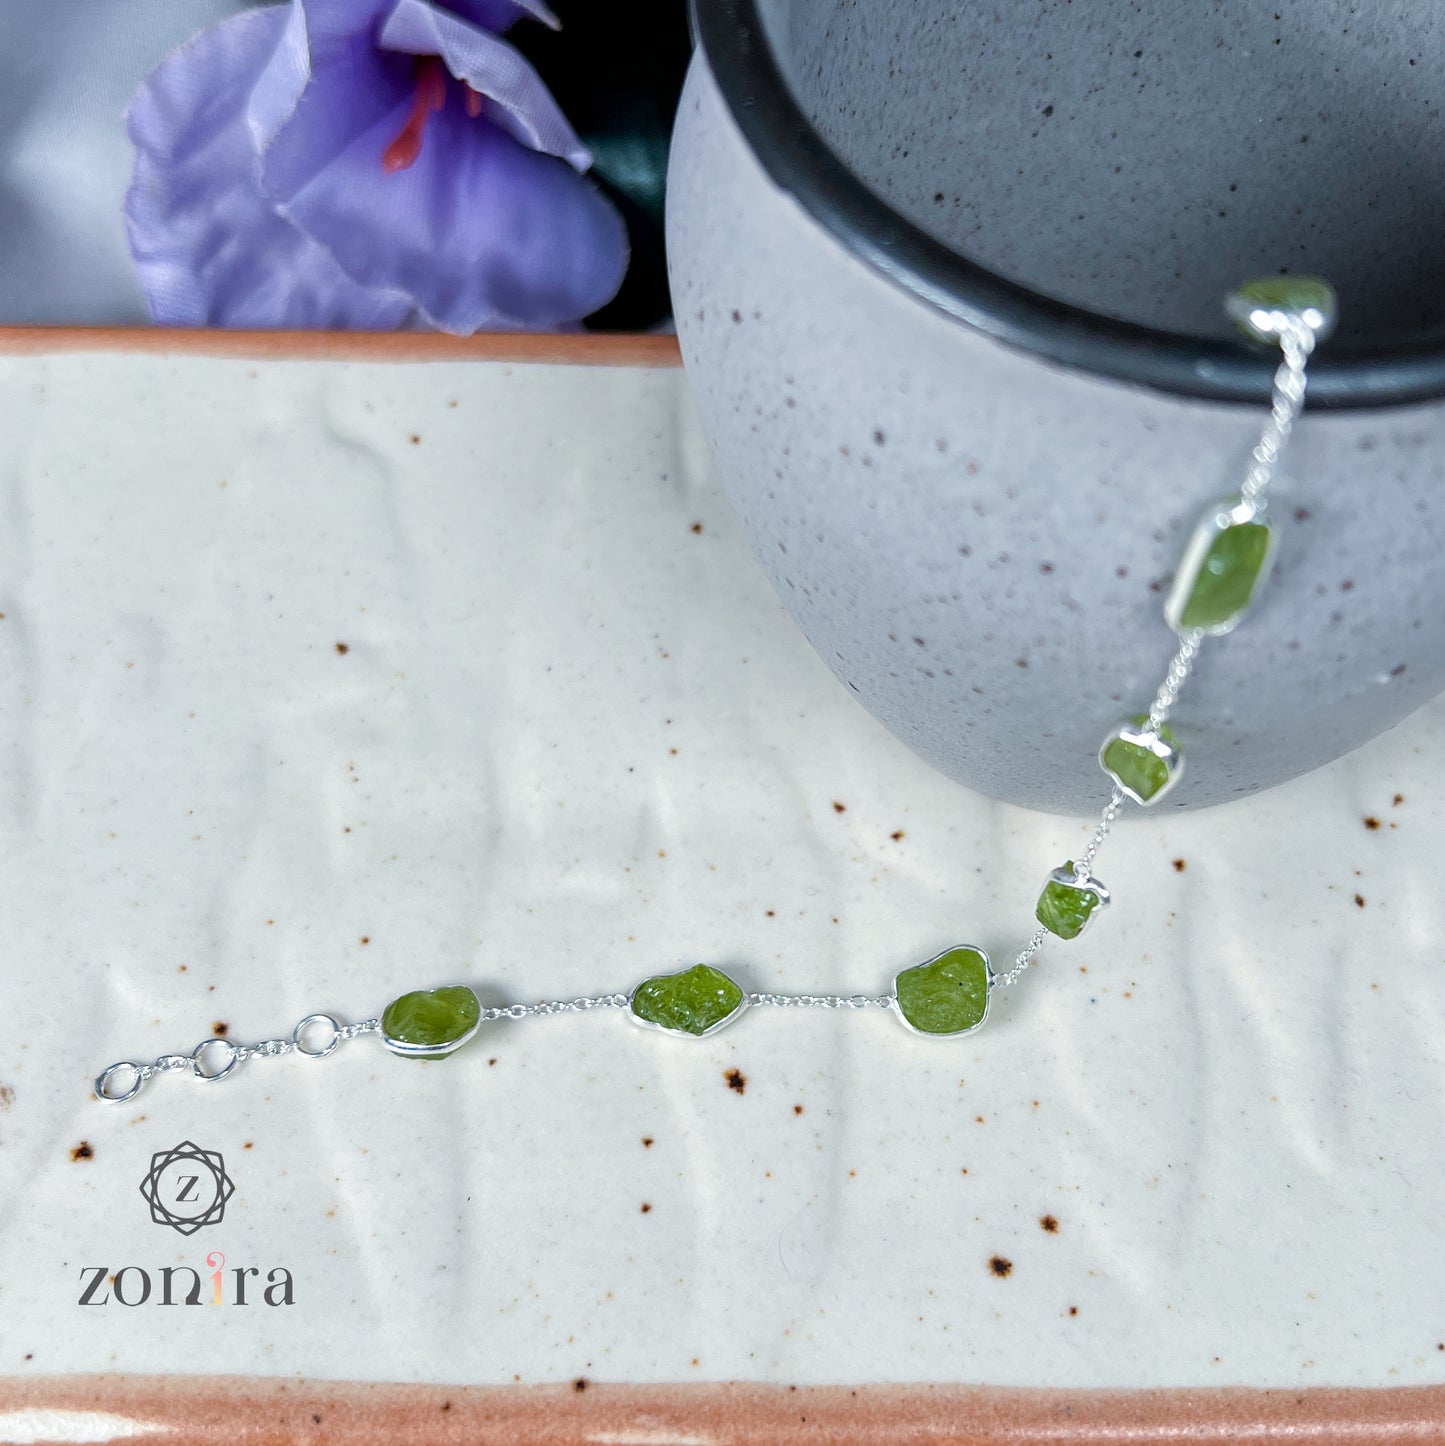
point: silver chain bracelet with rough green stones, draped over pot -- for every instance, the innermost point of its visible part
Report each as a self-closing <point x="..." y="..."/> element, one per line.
<point x="1220" y="575"/>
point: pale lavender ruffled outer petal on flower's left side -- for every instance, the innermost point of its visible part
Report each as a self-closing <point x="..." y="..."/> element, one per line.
<point x="209" y="248"/>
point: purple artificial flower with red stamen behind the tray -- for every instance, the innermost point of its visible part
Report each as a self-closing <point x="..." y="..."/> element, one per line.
<point x="365" y="164"/>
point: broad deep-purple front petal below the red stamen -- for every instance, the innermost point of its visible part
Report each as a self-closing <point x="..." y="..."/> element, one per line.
<point x="481" y="231"/>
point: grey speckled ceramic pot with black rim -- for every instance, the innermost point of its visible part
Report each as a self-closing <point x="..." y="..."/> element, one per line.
<point x="948" y="284"/>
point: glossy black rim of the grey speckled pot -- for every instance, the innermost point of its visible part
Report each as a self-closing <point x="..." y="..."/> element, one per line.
<point x="801" y="163"/>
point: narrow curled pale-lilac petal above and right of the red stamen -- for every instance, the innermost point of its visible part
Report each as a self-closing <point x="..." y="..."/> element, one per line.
<point x="523" y="105"/>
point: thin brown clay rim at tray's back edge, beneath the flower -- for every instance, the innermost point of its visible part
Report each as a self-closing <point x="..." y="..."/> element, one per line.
<point x="582" y="349"/>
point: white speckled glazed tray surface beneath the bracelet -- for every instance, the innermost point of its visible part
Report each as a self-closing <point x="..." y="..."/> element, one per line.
<point x="575" y="741"/>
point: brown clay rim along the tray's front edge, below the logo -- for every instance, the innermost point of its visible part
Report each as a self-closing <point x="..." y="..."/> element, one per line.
<point x="169" y="1411"/>
